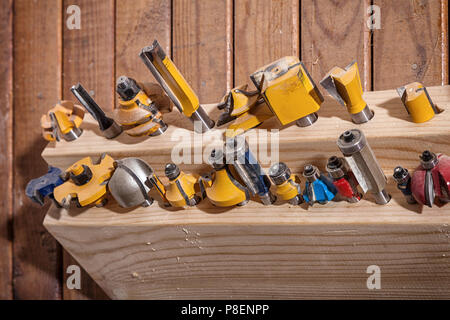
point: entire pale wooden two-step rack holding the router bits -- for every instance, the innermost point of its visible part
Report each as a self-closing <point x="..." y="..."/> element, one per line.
<point x="280" y="251"/>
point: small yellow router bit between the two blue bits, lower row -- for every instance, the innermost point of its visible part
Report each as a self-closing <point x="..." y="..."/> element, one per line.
<point x="288" y="184"/>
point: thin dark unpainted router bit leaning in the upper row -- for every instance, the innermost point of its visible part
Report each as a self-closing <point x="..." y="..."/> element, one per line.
<point x="109" y="128"/>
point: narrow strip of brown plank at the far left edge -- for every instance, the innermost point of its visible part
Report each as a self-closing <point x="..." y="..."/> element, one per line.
<point x="6" y="145"/>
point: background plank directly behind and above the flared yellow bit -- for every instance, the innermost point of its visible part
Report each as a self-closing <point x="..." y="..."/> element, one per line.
<point x="334" y="34"/>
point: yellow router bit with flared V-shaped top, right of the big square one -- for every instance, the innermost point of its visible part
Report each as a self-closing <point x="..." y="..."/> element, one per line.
<point x="345" y="86"/>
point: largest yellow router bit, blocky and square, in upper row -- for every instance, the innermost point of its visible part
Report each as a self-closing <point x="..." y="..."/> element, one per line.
<point x="289" y="91"/>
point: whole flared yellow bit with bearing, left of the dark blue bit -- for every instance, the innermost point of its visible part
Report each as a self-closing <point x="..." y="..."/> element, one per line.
<point x="221" y="188"/>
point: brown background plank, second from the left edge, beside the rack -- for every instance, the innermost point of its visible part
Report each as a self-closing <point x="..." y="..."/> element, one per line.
<point x="37" y="87"/>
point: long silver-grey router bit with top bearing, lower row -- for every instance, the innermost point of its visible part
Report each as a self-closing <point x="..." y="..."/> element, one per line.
<point x="363" y="164"/>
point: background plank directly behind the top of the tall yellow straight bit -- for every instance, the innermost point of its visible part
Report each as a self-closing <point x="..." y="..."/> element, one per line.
<point x="138" y="23"/>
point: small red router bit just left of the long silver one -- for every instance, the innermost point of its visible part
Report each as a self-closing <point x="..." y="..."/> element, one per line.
<point x="343" y="179"/>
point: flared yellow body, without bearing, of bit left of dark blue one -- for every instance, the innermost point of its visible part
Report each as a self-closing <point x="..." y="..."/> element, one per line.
<point x="221" y="190"/>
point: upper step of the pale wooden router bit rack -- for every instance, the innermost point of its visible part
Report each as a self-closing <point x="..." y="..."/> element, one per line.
<point x="401" y="144"/>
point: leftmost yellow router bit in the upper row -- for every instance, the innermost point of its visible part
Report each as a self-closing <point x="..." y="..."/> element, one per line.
<point x="63" y="121"/>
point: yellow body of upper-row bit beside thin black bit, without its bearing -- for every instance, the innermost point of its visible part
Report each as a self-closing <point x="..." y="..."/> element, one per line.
<point x="136" y="120"/>
